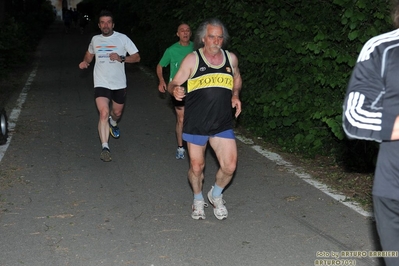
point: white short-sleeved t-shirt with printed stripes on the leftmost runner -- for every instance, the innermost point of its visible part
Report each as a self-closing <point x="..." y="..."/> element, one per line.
<point x="110" y="74"/>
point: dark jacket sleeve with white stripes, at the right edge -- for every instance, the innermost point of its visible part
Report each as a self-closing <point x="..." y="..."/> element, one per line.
<point x="364" y="116"/>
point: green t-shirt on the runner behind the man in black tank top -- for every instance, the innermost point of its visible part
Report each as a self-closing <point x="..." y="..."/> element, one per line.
<point x="173" y="56"/>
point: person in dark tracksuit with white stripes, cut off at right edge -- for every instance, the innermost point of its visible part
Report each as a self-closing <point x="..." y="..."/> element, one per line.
<point x="371" y="112"/>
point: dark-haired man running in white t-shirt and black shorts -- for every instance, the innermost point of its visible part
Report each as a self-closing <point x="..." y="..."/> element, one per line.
<point x="112" y="50"/>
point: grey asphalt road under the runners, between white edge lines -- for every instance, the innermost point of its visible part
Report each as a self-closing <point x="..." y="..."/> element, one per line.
<point x="67" y="207"/>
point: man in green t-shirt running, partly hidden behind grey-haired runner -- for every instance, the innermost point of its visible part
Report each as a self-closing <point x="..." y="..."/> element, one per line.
<point x="173" y="57"/>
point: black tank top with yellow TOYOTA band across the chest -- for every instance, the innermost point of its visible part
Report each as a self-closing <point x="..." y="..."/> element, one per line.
<point x="208" y="108"/>
